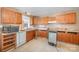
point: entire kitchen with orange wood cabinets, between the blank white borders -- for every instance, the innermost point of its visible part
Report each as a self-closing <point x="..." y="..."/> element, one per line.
<point x="50" y="29"/>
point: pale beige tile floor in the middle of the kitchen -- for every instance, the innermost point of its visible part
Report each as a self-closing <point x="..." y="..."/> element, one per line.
<point x="38" y="45"/>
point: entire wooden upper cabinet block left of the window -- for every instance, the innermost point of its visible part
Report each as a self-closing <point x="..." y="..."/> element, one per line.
<point x="11" y="17"/>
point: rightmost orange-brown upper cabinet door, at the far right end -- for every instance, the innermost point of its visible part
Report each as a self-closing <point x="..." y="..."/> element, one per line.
<point x="70" y="18"/>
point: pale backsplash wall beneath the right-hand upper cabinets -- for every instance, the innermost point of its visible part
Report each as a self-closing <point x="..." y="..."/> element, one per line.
<point x="64" y="26"/>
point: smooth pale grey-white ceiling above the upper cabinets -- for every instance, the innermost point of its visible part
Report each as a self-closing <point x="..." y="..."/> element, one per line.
<point x="44" y="11"/>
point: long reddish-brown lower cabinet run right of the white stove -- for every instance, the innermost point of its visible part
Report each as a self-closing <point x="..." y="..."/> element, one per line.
<point x="68" y="37"/>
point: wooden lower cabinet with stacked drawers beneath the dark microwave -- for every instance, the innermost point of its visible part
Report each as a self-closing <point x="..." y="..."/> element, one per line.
<point x="7" y="42"/>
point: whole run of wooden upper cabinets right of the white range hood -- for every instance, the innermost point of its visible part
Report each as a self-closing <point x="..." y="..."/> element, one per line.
<point x="69" y="18"/>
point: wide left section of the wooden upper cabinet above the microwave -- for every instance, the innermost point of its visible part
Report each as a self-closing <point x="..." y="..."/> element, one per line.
<point x="8" y="16"/>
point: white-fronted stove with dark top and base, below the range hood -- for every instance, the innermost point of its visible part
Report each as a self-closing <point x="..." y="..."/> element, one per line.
<point x="52" y="38"/>
